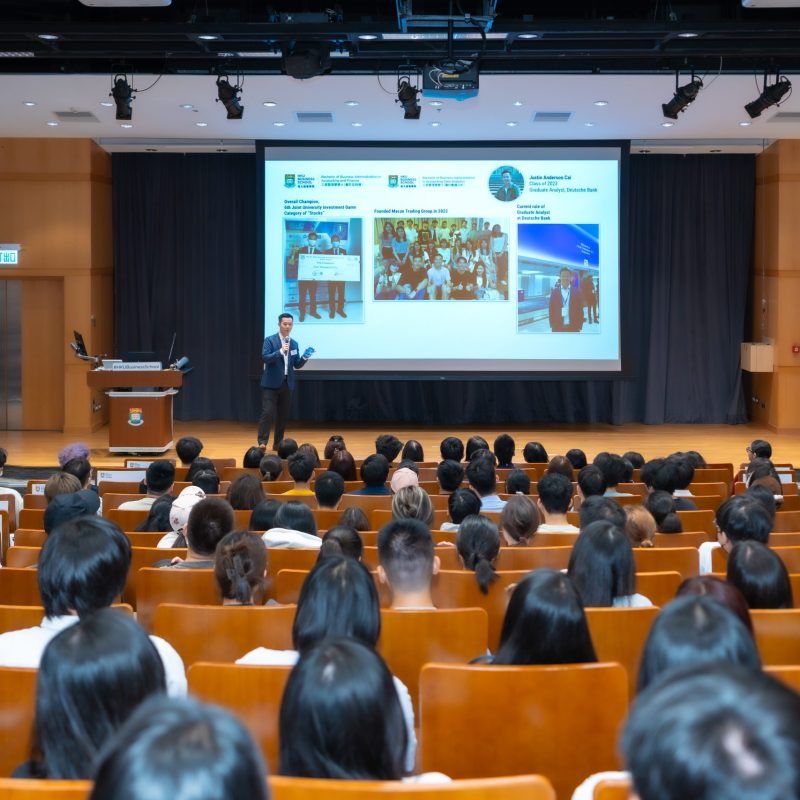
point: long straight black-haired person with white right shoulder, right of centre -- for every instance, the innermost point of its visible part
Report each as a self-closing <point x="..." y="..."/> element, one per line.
<point x="602" y="568"/>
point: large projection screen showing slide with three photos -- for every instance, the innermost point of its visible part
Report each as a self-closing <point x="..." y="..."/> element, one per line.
<point x="455" y="259"/>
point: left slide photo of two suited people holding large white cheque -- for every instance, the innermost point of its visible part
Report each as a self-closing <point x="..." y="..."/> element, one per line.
<point x="322" y="270"/>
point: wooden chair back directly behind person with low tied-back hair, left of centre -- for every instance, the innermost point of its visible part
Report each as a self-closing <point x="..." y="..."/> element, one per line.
<point x="223" y="633"/>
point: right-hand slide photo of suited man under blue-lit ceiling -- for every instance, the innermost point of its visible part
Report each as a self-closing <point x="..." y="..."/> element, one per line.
<point x="558" y="278"/>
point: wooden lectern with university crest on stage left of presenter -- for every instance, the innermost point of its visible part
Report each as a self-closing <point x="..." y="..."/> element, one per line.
<point x="139" y="421"/>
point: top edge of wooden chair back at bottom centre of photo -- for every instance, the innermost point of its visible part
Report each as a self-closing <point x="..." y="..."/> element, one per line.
<point x="517" y="787"/>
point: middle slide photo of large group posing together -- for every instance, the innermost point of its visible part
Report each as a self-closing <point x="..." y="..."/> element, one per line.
<point x="434" y="258"/>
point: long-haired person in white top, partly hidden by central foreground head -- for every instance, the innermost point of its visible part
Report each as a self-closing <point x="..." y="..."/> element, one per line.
<point x="338" y="598"/>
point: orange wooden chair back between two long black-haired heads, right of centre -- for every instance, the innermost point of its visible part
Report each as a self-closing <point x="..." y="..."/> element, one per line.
<point x="618" y="635"/>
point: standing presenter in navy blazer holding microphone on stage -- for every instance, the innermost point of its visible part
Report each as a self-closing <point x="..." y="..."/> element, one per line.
<point x="281" y="356"/>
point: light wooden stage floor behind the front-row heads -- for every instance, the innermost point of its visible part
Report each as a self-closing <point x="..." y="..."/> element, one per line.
<point x="231" y="439"/>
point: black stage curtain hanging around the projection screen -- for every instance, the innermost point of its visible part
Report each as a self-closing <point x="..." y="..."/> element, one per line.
<point x="186" y="260"/>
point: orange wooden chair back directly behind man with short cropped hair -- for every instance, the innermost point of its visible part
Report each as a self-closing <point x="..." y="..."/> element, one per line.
<point x="410" y="639"/>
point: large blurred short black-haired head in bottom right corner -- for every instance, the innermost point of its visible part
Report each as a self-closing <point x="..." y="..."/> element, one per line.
<point x="722" y="731"/>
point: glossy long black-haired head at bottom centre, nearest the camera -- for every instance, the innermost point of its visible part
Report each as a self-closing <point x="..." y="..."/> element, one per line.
<point x="341" y="716"/>
